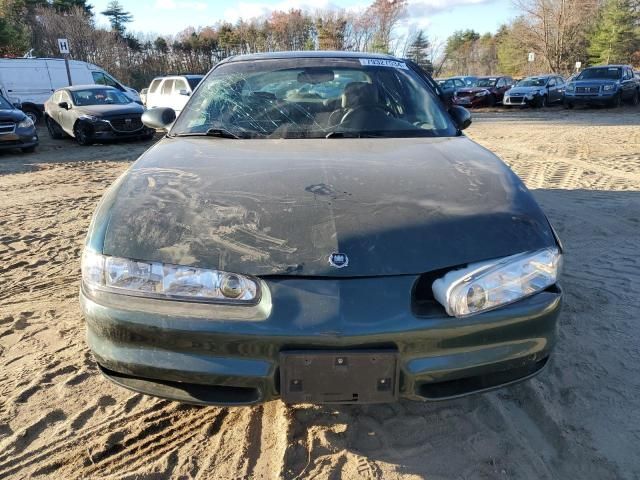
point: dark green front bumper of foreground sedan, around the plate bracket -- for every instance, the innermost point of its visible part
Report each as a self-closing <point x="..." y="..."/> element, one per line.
<point x="208" y="354"/>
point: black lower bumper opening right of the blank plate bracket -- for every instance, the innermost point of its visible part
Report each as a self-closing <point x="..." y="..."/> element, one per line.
<point x="462" y="386"/>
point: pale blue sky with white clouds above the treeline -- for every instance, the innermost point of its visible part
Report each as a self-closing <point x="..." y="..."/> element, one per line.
<point x="439" y="18"/>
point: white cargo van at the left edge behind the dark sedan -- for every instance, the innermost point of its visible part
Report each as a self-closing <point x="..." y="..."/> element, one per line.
<point x="31" y="81"/>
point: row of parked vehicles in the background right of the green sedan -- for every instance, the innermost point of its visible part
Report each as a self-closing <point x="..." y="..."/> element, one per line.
<point x="603" y="85"/>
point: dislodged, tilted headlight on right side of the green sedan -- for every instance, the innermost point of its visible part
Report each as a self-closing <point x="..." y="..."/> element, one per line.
<point x="487" y="285"/>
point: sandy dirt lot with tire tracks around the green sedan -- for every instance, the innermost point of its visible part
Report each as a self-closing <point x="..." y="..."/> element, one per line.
<point x="579" y="419"/>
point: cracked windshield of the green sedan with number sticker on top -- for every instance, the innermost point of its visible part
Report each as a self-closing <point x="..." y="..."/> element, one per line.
<point x="312" y="98"/>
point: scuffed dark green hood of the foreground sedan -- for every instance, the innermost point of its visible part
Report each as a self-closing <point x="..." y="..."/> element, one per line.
<point x="281" y="207"/>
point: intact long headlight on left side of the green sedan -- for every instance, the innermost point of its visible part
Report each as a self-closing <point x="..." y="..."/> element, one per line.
<point x="157" y="280"/>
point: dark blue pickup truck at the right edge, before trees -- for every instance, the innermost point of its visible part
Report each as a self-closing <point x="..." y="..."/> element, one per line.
<point x="606" y="84"/>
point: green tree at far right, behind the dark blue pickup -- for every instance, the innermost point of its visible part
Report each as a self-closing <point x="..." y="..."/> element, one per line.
<point x="617" y="33"/>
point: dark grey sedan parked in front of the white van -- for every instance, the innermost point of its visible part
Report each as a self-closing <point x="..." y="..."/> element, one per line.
<point x="94" y="113"/>
